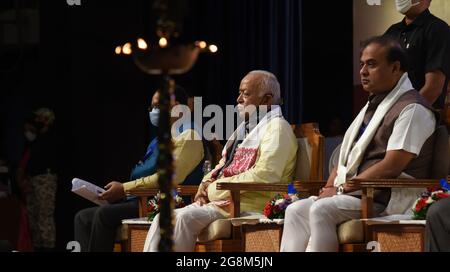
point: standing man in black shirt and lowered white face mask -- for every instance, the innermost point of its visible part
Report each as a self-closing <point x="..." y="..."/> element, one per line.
<point x="426" y="40"/>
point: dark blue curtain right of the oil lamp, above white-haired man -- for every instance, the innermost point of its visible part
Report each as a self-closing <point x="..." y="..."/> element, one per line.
<point x="251" y="34"/>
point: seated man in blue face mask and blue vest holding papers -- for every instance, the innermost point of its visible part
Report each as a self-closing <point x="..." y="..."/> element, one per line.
<point x="95" y="228"/>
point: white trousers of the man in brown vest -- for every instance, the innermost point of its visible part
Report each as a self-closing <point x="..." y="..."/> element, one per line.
<point x="316" y="221"/>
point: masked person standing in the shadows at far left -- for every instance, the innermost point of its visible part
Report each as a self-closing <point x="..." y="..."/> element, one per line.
<point x="37" y="178"/>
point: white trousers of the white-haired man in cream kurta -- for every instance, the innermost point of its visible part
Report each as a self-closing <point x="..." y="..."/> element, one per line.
<point x="189" y="222"/>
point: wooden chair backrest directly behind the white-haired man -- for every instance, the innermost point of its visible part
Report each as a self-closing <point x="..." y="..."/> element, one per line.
<point x="310" y="152"/>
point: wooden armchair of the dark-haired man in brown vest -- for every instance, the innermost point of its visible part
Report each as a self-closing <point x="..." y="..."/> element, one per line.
<point x="354" y="235"/>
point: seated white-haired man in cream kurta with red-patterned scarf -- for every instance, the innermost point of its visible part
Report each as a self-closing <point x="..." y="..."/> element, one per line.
<point x="262" y="149"/>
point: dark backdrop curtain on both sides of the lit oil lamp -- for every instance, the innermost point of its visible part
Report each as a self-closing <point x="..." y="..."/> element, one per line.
<point x="101" y="99"/>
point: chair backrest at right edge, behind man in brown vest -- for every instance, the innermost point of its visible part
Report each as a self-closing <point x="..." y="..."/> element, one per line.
<point x="441" y="154"/>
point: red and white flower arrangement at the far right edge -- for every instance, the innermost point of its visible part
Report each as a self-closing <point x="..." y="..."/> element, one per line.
<point x="427" y="199"/>
